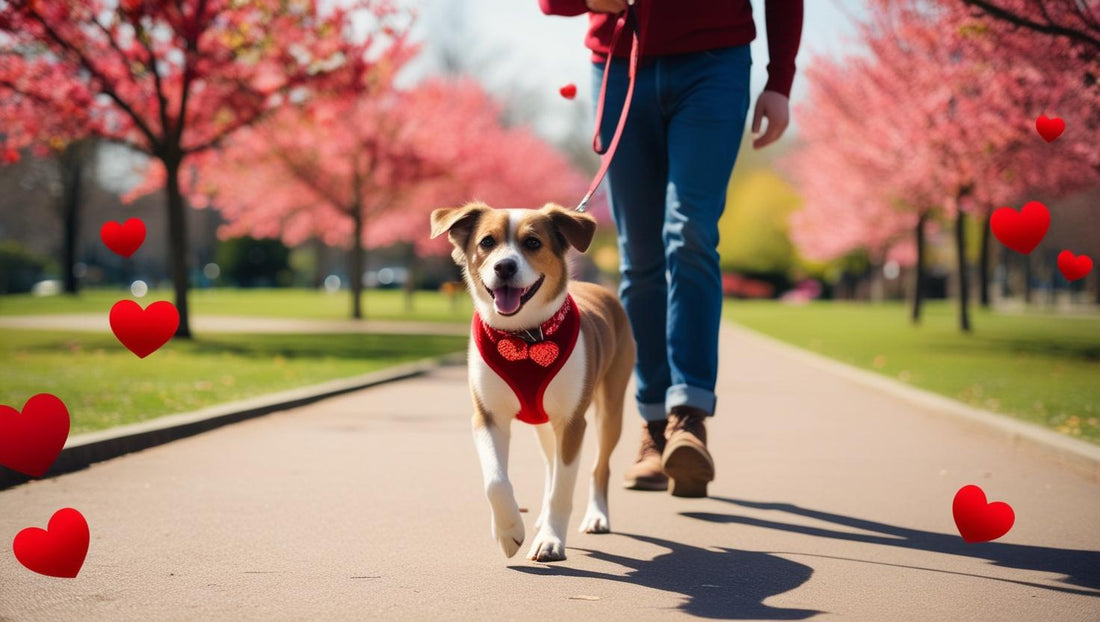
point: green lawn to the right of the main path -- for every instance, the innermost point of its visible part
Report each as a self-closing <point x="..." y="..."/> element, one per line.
<point x="1039" y="368"/>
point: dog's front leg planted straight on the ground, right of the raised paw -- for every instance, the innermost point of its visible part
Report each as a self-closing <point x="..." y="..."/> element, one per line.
<point x="549" y="545"/>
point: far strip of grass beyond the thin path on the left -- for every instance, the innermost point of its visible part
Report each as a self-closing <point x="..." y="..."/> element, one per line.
<point x="378" y="304"/>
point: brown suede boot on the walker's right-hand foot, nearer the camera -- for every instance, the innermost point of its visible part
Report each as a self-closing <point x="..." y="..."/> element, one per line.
<point x="686" y="460"/>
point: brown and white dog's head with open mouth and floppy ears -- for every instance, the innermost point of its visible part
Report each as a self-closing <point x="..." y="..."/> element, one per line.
<point x="514" y="260"/>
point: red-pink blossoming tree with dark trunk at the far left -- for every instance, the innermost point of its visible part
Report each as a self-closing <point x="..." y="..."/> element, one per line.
<point x="174" y="80"/>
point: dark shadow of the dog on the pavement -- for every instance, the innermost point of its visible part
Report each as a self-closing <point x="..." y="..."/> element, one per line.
<point x="722" y="584"/>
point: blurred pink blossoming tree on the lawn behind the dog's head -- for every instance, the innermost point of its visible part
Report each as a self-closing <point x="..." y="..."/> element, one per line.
<point x="362" y="172"/>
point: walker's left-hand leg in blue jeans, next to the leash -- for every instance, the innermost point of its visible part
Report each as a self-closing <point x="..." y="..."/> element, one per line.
<point x="636" y="182"/>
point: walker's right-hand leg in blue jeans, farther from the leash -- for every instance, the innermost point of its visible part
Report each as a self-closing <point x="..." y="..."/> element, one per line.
<point x="709" y="101"/>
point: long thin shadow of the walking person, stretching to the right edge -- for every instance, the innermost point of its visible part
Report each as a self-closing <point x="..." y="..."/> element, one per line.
<point x="1081" y="568"/>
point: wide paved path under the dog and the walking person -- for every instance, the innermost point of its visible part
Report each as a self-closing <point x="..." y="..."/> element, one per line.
<point x="833" y="503"/>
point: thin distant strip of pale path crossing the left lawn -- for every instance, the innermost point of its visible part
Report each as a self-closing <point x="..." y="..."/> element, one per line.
<point x="100" y="323"/>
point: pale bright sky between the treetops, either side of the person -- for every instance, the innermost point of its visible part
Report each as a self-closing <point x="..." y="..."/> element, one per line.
<point x="512" y="47"/>
